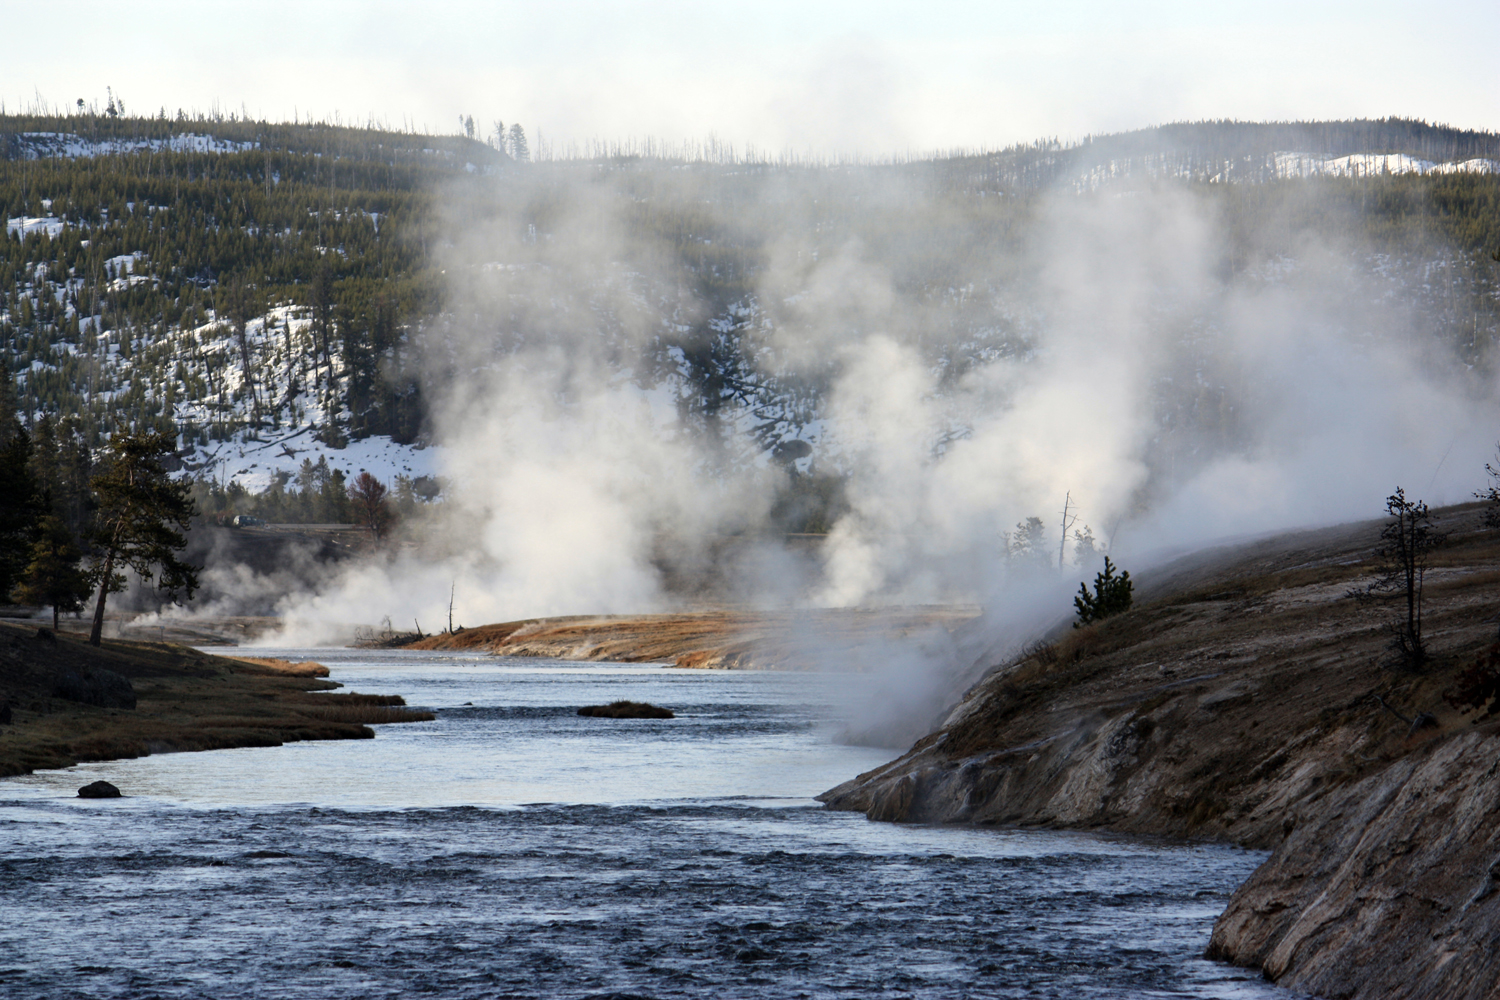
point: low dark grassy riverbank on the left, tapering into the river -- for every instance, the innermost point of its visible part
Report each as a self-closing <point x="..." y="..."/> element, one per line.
<point x="71" y="702"/>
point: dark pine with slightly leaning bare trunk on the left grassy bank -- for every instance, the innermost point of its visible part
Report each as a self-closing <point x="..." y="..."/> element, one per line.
<point x="140" y="510"/>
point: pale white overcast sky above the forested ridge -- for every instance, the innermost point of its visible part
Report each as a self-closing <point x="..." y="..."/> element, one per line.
<point x="824" y="77"/>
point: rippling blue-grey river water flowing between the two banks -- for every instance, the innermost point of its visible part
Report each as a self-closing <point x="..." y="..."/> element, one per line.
<point x="514" y="849"/>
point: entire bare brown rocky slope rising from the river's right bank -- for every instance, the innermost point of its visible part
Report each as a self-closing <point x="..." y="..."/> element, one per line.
<point x="1244" y="699"/>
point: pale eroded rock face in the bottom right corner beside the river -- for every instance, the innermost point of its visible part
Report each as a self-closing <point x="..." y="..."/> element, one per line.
<point x="1387" y="888"/>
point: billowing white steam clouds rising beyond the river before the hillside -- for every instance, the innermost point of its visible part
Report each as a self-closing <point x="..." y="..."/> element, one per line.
<point x="625" y="347"/>
